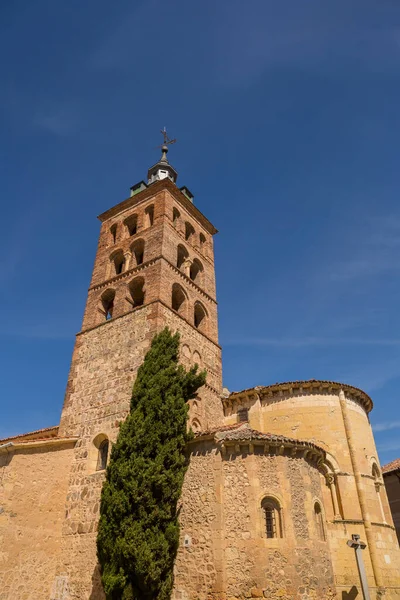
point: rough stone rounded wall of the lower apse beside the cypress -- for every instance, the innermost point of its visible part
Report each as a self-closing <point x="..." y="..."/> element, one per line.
<point x="224" y="552"/>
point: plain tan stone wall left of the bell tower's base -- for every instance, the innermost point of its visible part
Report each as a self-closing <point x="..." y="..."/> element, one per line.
<point x="33" y="486"/>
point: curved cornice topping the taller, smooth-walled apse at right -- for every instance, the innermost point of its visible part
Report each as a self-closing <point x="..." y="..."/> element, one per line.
<point x="301" y="388"/>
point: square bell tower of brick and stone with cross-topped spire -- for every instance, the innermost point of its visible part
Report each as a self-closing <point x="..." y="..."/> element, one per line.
<point x="154" y="267"/>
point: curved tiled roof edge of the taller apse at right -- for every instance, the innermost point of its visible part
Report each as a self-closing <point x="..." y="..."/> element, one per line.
<point x="310" y="386"/>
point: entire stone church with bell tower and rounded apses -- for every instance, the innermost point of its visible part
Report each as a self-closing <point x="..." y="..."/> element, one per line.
<point x="280" y="476"/>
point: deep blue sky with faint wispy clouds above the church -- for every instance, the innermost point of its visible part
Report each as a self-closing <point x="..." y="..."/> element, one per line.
<point x="287" y="119"/>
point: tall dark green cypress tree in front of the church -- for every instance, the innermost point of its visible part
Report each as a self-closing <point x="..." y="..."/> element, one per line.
<point x="138" y="533"/>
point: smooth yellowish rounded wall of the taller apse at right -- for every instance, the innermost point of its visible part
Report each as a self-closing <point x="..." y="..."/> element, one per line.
<point x="338" y="422"/>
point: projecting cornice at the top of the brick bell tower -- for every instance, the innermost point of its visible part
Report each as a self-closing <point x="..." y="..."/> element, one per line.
<point x="150" y="192"/>
